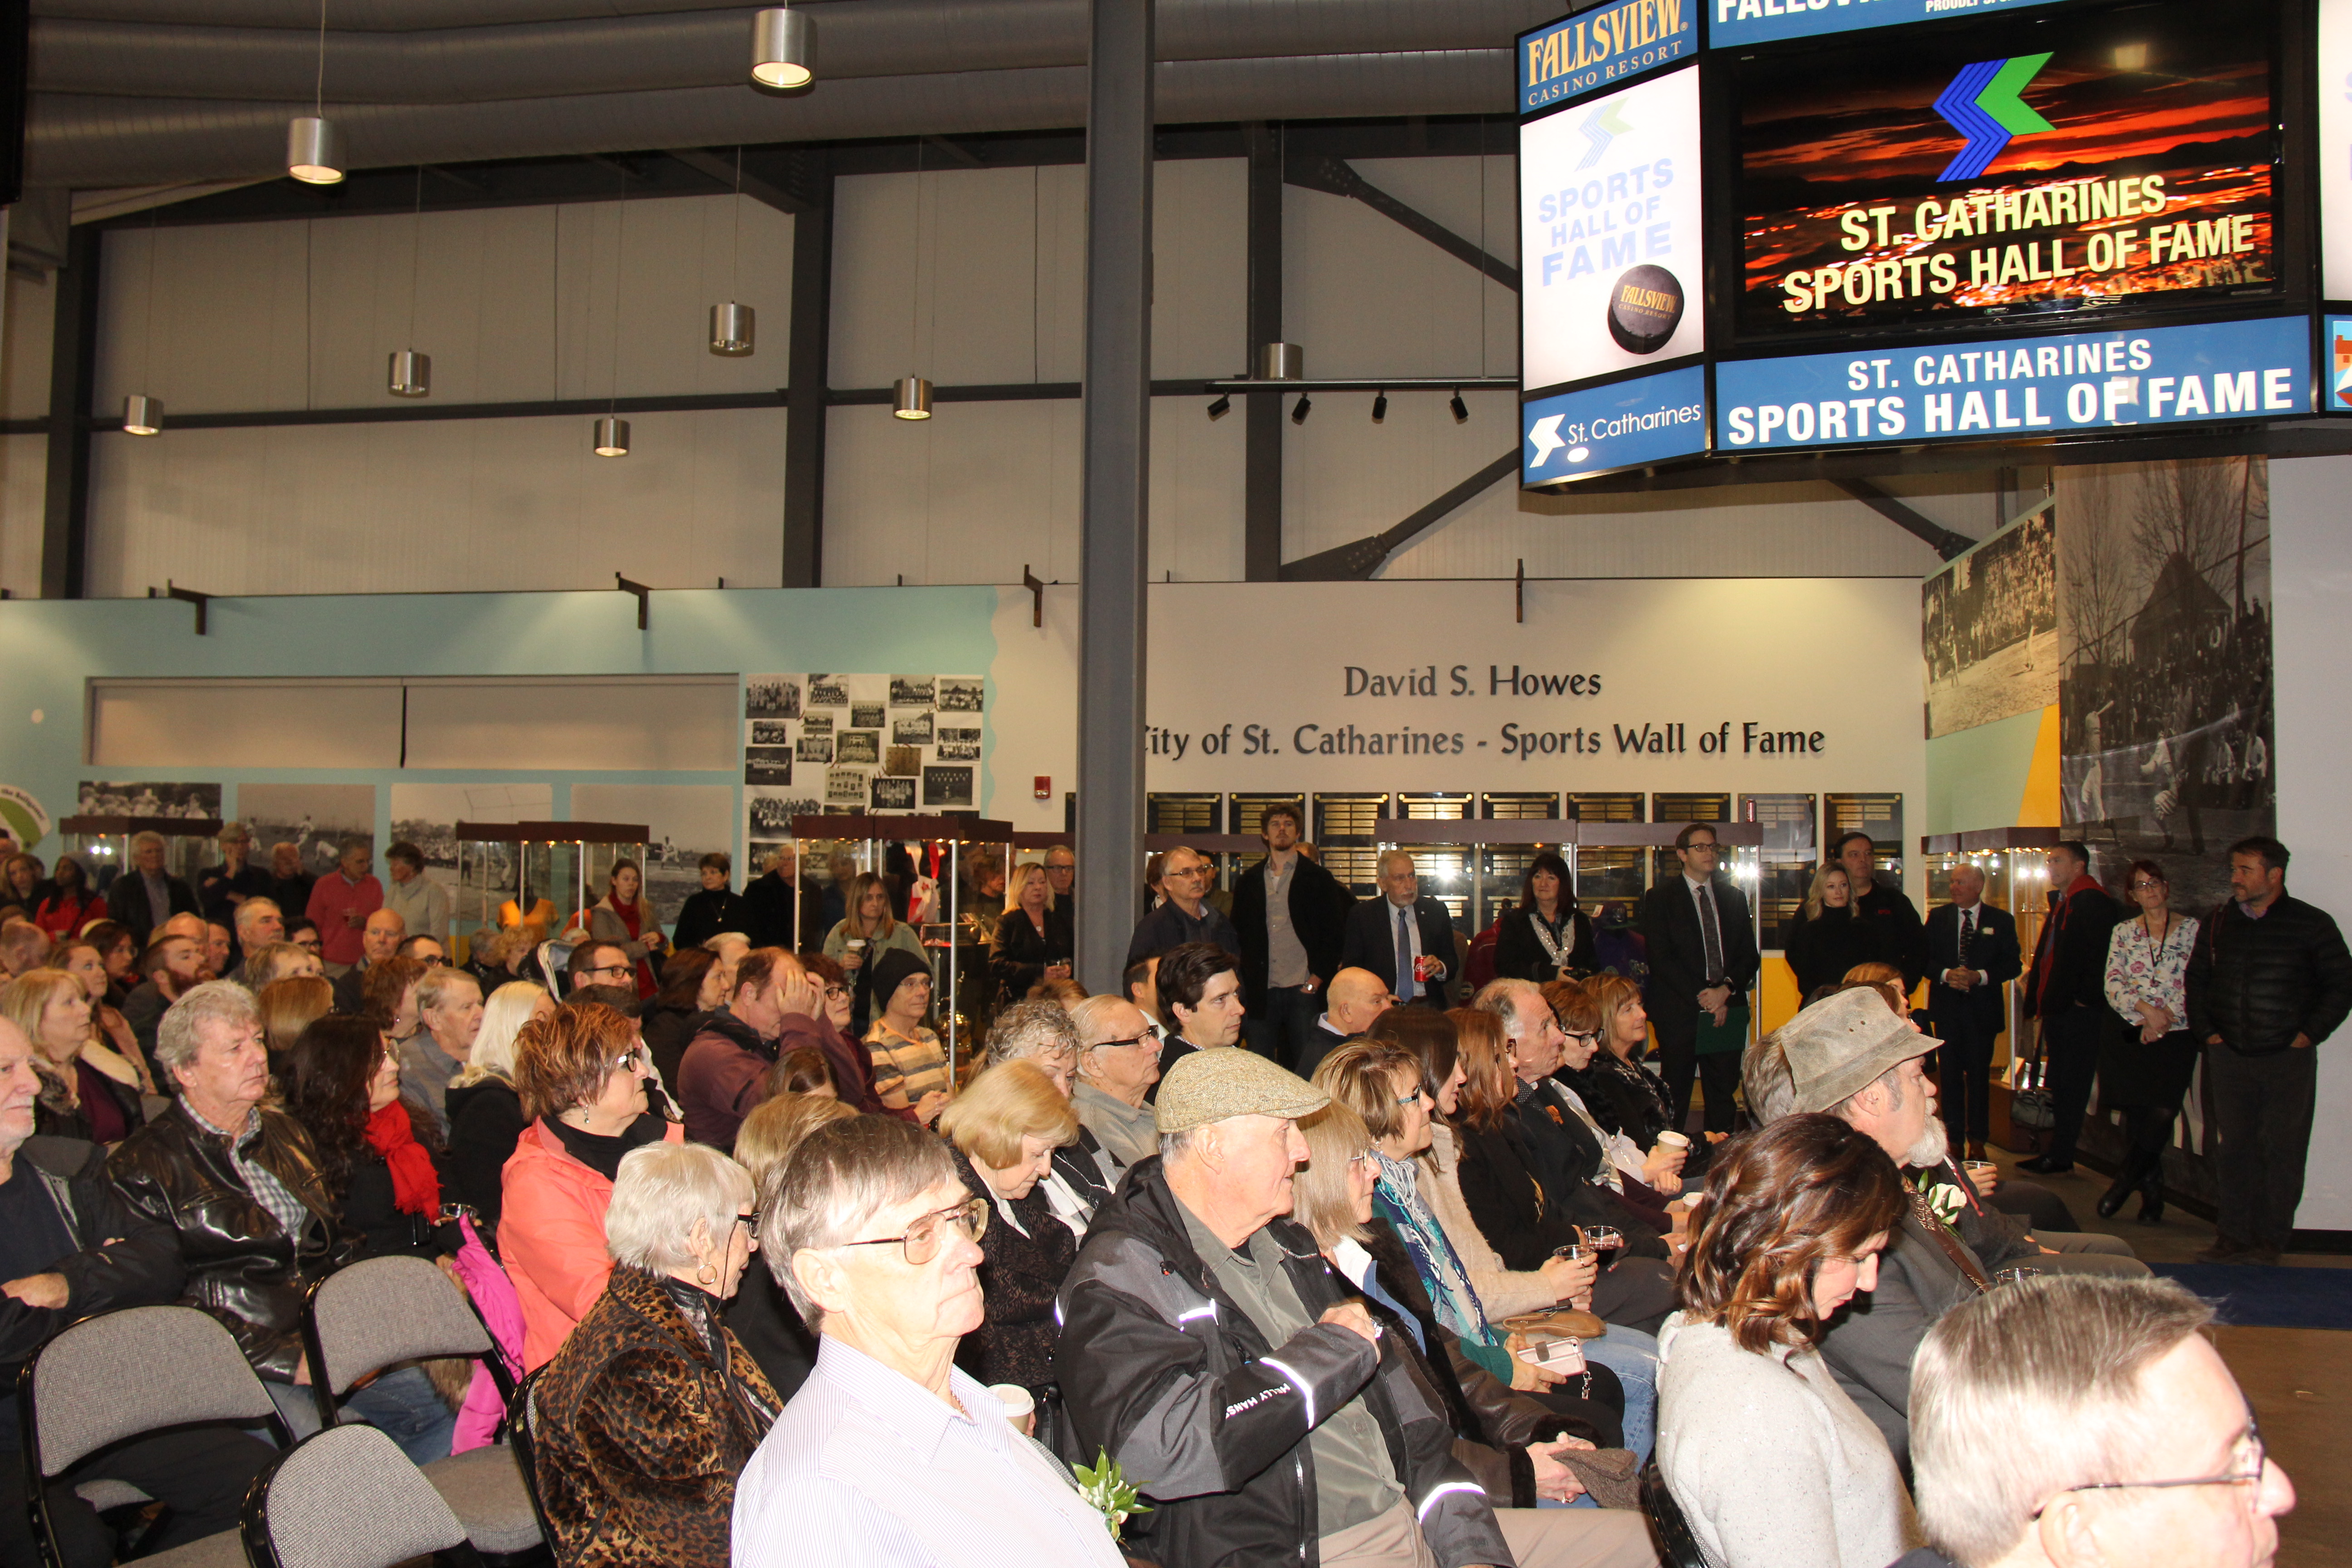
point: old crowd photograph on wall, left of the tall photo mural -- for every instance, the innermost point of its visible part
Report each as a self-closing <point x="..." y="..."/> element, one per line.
<point x="1989" y="629"/>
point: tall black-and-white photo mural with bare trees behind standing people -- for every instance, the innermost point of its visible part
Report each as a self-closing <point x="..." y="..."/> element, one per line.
<point x="2165" y="699"/>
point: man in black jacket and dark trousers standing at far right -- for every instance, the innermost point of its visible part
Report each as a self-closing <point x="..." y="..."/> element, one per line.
<point x="2269" y="981"/>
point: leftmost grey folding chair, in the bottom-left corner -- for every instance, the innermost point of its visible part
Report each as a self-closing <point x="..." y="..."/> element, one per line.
<point x="98" y="1386"/>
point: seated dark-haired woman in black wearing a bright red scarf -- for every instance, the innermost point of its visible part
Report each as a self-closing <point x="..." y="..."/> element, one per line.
<point x="380" y="1162"/>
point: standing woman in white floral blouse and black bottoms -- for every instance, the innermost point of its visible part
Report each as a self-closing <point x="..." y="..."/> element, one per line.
<point x="2149" y="1057"/>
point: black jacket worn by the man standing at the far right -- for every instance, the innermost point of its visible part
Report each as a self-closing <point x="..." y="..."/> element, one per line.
<point x="2264" y="981"/>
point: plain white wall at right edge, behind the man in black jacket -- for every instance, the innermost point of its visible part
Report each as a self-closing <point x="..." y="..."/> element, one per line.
<point x="2311" y="582"/>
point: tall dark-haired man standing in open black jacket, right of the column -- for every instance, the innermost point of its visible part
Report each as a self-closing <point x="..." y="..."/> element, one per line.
<point x="1288" y="913"/>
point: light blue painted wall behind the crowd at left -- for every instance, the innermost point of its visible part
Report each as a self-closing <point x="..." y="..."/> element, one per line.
<point x="51" y="650"/>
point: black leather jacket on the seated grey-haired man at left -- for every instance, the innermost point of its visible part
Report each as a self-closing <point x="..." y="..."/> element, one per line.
<point x="243" y="1266"/>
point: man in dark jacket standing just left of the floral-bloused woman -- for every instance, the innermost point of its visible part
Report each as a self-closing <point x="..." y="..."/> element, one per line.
<point x="2069" y="993"/>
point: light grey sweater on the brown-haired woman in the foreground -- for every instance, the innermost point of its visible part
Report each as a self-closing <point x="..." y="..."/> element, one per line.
<point x="1772" y="1461"/>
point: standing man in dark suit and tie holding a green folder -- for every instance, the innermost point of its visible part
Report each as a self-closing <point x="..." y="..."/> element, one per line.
<point x="1702" y="949"/>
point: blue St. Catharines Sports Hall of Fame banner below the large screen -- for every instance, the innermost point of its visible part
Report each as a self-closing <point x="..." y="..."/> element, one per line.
<point x="2017" y="389"/>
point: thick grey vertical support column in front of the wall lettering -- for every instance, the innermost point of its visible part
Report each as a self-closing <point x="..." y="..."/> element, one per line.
<point x="1116" y="488"/>
